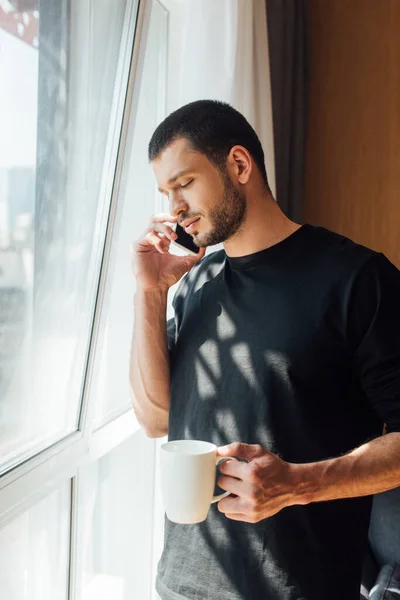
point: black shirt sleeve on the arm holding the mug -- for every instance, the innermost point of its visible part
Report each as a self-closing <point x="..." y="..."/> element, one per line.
<point x="375" y="328"/>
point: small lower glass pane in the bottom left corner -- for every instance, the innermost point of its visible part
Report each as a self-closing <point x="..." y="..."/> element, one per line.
<point x="34" y="557"/>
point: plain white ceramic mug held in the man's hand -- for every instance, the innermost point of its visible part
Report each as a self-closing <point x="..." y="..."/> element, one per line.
<point x="188" y="475"/>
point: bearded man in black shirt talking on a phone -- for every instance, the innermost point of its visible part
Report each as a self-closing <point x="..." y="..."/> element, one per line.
<point x="284" y="351"/>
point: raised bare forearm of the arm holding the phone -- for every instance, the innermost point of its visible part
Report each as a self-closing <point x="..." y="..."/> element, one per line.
<point x="149" y="363"/>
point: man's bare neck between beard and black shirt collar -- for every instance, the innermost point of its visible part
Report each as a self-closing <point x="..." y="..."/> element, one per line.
<point x="265" y="225"/>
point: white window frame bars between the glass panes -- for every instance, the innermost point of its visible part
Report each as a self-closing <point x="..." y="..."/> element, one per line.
<point x="26" y="484"/>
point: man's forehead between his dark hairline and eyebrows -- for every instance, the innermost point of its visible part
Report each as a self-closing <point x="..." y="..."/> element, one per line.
<point x="176" y="158"/>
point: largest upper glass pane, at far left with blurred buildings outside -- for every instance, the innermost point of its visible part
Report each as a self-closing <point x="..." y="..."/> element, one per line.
<point x="59" y="86"/>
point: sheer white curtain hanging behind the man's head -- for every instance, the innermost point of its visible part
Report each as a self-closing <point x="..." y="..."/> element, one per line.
<point x="219" y="50"/>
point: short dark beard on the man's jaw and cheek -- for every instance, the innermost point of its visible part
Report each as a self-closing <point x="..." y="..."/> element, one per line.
<point x="226" y="218"/>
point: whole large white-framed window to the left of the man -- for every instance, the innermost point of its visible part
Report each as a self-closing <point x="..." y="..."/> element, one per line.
<point x="84" y="86"/>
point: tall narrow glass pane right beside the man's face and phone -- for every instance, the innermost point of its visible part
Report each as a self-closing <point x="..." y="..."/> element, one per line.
<point x="138" y="199"/>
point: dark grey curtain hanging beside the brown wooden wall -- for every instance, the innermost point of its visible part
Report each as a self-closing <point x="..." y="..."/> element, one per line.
<point x="287" y="31"/>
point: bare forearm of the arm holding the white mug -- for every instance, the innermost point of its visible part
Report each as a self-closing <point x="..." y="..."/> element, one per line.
<point x="372" y="468"/>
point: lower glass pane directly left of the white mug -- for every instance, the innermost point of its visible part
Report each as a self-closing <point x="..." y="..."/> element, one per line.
<point x="116" y="508"/>
